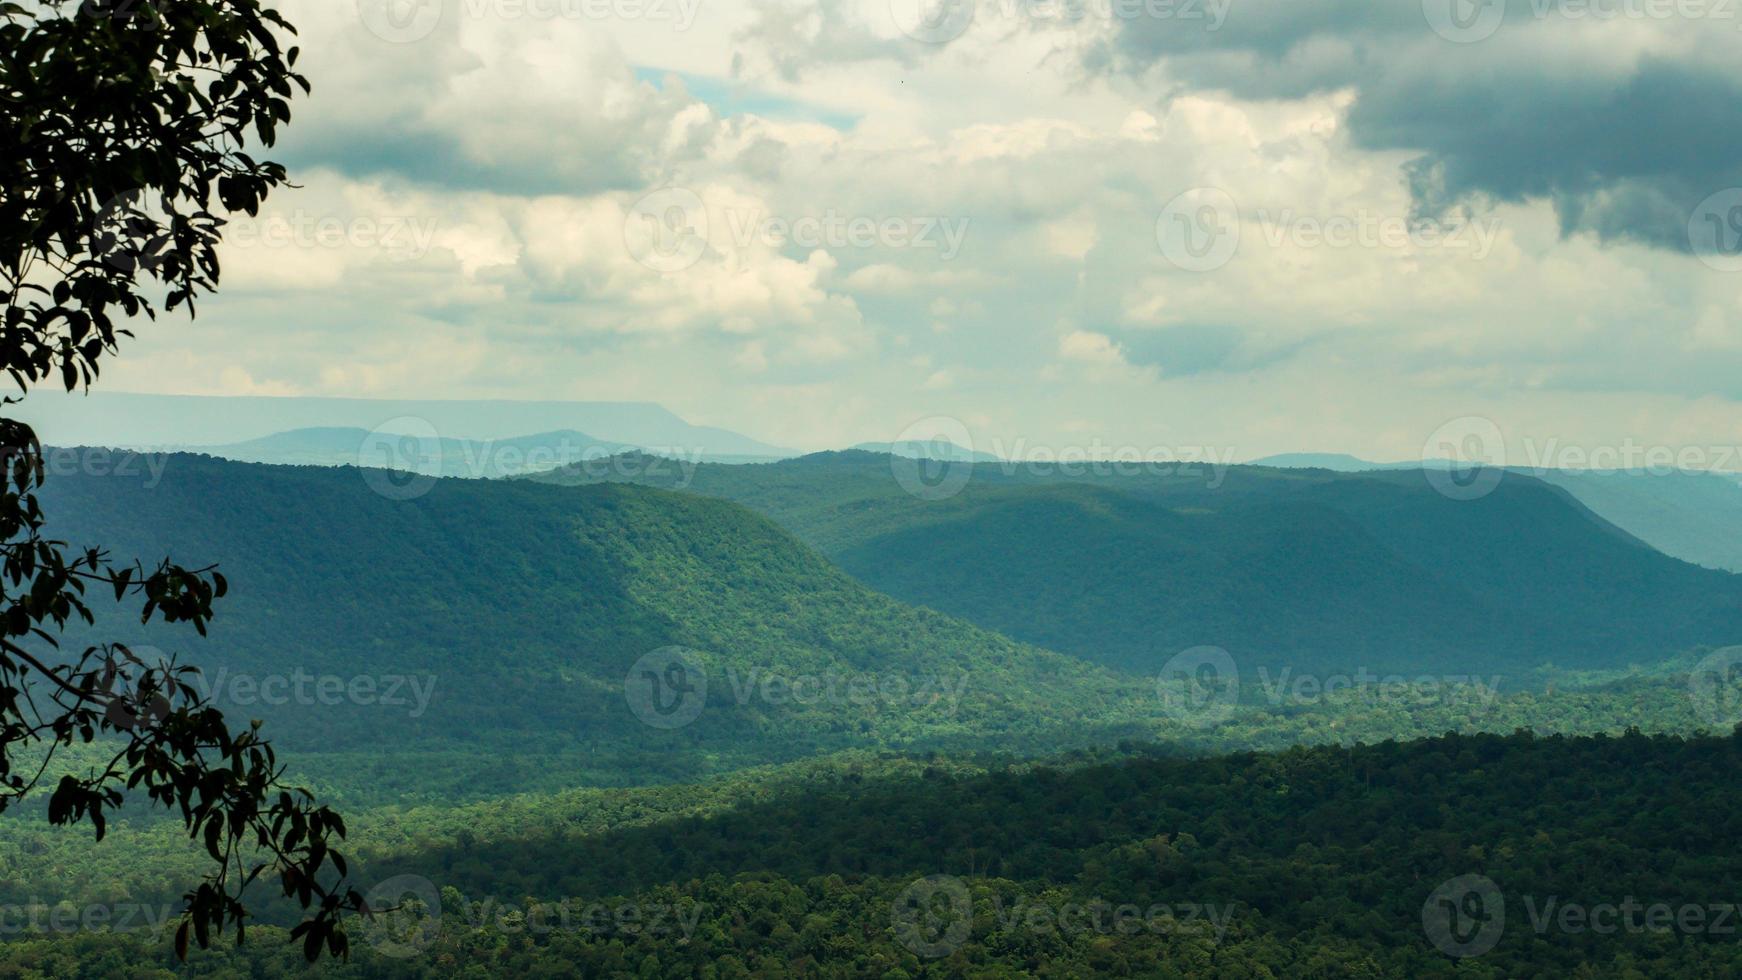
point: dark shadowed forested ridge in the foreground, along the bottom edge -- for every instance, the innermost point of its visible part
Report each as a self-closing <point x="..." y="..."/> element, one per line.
<point x="1452" y="857"/>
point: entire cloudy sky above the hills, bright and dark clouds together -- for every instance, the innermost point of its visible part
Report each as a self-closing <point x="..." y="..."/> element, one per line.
<point x="1259" y="225"/>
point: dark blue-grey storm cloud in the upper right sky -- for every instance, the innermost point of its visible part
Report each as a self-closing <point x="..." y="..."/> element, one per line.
<point x="1537" y="105"/>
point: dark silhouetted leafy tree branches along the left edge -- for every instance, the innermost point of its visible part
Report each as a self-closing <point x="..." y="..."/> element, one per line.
<point x="126" y="128"/>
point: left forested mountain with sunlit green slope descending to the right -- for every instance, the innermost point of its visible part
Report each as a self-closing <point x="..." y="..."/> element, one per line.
<point x="518" y="614"/>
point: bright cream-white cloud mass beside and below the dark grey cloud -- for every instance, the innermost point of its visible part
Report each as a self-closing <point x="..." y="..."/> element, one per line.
<point x="523" y="145"/>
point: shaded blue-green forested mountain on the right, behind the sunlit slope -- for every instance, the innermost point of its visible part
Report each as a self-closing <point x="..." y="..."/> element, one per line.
<point x="1285" y="568"/>
